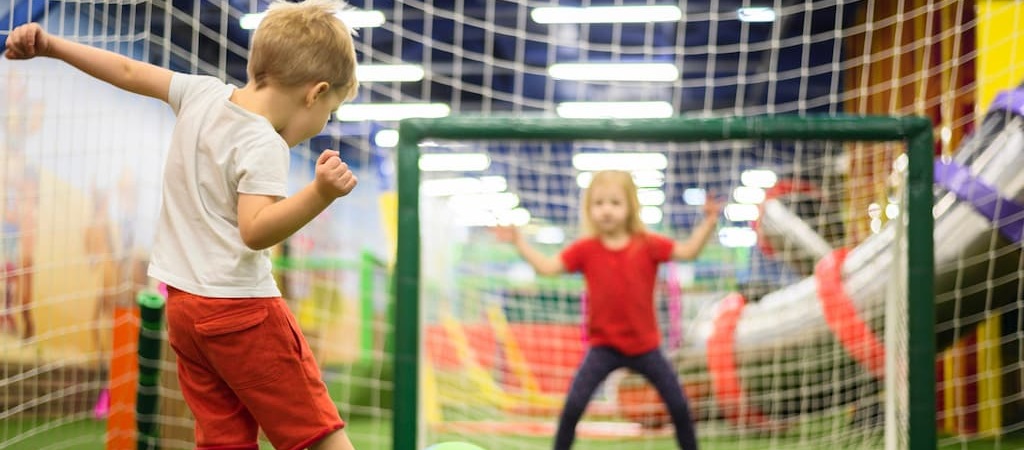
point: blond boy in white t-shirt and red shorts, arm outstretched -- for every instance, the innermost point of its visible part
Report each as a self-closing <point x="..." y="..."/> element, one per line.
<point x="243" y="362"/>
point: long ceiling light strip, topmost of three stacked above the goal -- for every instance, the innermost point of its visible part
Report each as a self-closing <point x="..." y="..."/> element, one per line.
<point x="607" y="15"/>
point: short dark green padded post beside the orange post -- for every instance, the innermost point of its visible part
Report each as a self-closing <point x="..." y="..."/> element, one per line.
<point x="150" y="346"/>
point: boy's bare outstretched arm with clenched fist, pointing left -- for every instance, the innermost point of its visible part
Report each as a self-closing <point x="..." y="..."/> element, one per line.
<point x="30" y="40"/>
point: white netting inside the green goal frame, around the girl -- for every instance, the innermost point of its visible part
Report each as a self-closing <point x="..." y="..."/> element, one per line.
<point x="503" y="345"/>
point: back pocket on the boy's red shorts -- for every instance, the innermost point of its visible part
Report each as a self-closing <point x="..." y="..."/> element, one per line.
<point x="241" y="347"/>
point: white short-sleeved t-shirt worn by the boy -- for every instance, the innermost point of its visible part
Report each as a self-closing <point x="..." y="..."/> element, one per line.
<point x="219" y="150"/>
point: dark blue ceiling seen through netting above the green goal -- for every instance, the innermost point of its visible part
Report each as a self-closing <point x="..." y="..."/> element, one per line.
<point x="455" y="52"/>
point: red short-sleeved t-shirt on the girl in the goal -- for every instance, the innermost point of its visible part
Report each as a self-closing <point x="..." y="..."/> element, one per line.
<point x="621" y="290"/>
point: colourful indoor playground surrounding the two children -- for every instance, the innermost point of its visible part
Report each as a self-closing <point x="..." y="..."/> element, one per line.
<point x="864" y="288"/>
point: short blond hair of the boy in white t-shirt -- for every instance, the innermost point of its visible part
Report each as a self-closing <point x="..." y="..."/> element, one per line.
<point x="301" y="44"/>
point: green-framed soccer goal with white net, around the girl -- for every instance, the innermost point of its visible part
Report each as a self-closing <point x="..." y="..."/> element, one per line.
<point x="808" y="348"/>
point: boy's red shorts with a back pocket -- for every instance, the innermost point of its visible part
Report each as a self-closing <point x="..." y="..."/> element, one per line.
<point x="244" y="364"/>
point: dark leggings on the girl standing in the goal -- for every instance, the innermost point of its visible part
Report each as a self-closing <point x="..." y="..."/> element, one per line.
<point x="599" y="363"/>
